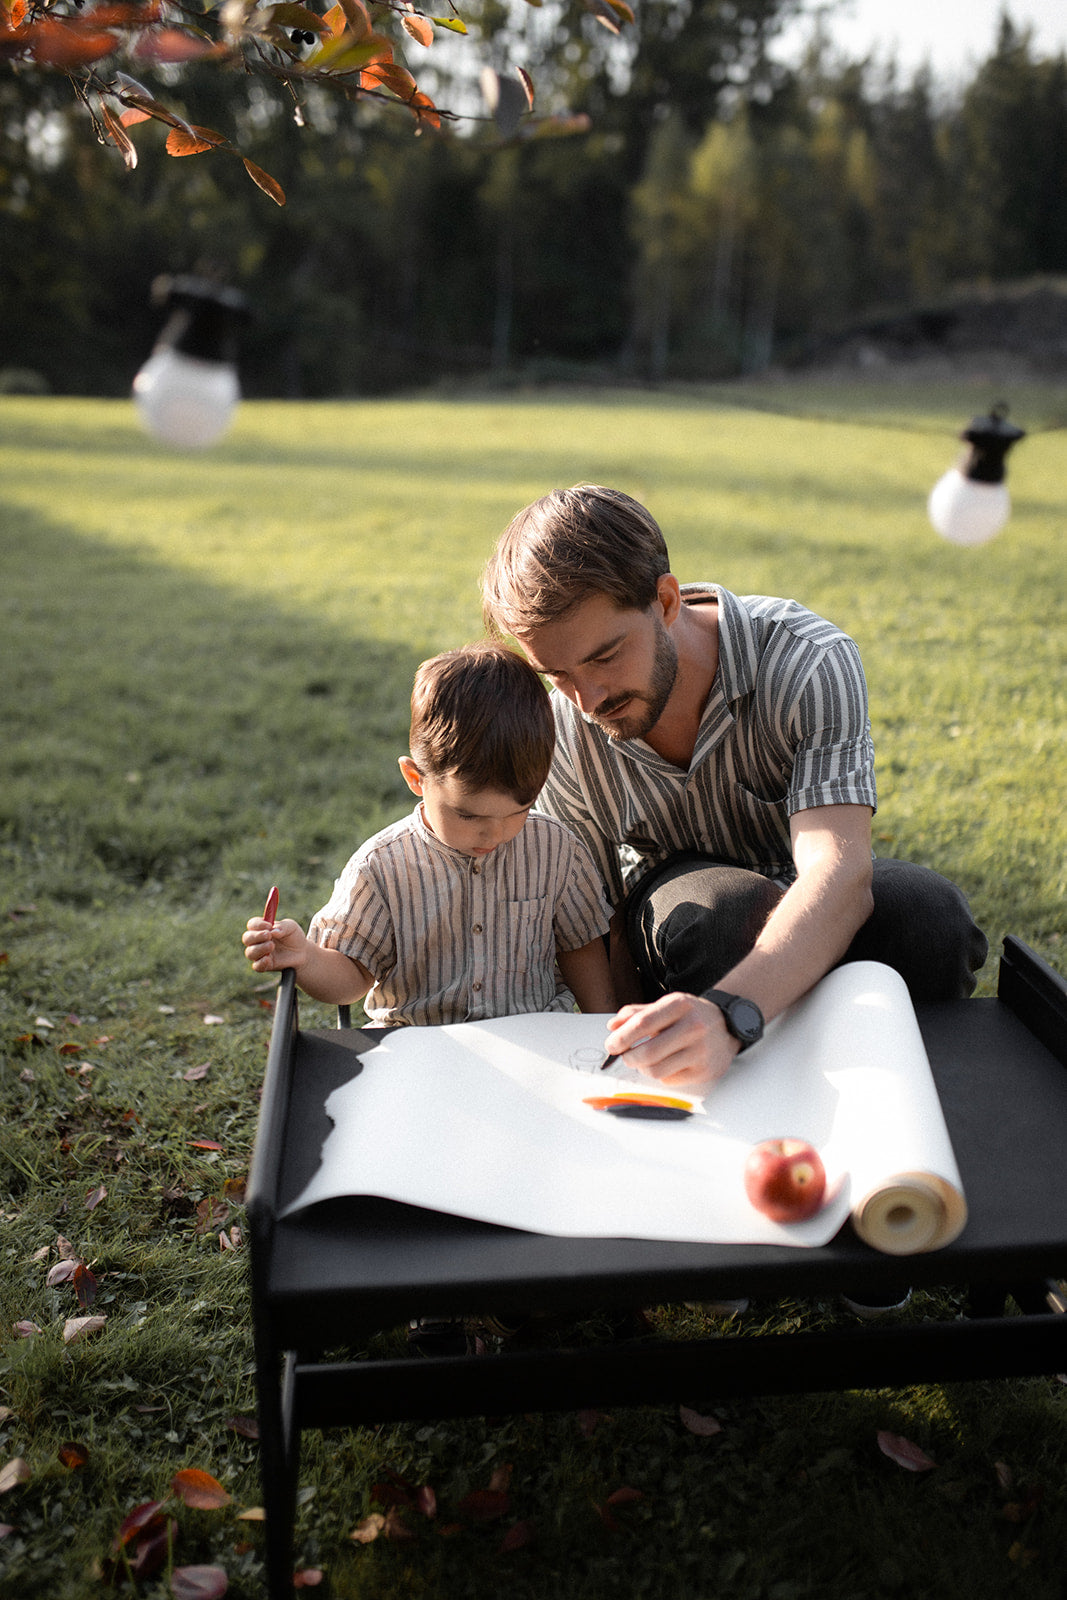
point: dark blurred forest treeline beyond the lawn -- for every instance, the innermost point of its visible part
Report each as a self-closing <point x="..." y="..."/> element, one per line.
<point x="719" y="215"/>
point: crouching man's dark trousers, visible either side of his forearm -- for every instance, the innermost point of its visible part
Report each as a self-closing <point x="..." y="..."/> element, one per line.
<point x="693" y="919"/>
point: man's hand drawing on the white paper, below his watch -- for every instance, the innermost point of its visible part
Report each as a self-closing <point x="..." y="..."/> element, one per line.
<point x="681" y="1041"/>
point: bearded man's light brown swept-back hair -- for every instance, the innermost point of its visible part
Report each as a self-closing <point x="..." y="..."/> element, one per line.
<point x="567" y="546"/>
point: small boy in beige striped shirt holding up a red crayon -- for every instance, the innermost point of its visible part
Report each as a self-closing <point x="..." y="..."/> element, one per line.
<point x="466" y="908"/>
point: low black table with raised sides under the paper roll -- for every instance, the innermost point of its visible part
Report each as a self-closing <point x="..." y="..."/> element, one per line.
<point x="340" y="1270"/>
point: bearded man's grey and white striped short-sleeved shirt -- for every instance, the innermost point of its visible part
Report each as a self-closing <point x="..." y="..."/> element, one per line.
<point x="785" y="729"/>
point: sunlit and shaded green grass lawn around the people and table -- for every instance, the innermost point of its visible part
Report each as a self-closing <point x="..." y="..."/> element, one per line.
<point x="207" y="665"/>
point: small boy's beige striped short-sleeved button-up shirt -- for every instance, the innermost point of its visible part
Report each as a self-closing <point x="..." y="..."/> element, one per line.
<point x="455" y="938"/>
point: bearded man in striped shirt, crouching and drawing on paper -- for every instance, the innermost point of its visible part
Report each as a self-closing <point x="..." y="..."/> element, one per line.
<point x="714" y="753"/>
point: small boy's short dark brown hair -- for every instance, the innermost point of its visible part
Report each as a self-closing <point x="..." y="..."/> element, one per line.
<point x="482" y="716"/>
